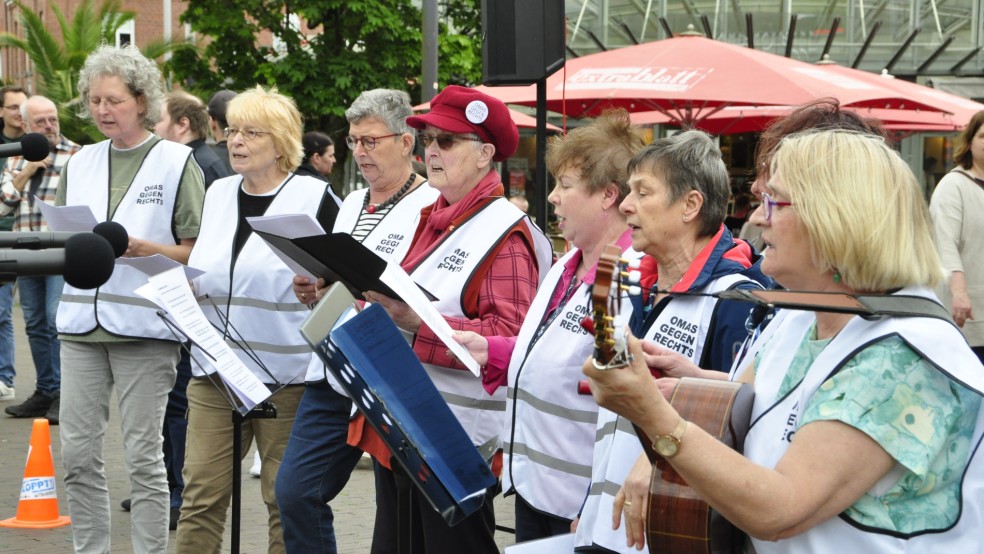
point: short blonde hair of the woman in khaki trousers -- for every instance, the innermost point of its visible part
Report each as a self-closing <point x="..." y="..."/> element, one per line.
<point x="276" y="113"/>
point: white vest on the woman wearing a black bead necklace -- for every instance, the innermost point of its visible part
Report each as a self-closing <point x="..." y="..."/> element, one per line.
<point x="390" y="240"/>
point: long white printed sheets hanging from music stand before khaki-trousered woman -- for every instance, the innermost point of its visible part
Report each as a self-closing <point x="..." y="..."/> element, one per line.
<point x="171" y="291"/>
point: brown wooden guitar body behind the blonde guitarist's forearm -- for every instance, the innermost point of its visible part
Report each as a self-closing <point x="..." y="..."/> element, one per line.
<point x="679" y="522"/>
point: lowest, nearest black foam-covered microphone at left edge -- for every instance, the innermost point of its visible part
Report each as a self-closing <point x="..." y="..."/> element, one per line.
<point x="86" y="261"/>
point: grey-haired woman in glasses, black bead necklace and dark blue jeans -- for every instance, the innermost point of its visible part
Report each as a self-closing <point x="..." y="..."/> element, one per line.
<point x="318" y="461"/>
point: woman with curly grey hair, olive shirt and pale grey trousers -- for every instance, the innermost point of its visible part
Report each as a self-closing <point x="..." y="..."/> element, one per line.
<point x="111" y="338"/>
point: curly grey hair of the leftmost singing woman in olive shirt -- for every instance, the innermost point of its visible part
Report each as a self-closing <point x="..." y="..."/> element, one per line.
<point x="140" y="75"/>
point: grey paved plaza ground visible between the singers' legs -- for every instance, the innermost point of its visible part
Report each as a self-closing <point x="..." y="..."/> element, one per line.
<point x="354" y="508"/>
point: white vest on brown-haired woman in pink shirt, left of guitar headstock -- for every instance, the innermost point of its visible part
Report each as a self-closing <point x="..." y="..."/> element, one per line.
<point x="549" y="430"/>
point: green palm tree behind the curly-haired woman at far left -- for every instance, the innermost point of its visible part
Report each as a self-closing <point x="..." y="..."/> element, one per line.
<point x="57" y="66"/>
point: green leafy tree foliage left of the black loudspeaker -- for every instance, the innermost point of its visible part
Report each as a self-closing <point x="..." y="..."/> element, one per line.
<point x="361" y="45"/>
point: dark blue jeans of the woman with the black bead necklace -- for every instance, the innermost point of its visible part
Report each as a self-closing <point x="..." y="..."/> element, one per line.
<point x="315" y="468"/>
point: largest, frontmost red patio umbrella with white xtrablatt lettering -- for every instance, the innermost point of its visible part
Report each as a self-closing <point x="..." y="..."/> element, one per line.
<point x="691" y="77"/>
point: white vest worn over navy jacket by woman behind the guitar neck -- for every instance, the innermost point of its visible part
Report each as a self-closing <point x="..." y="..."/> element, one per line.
<point x="682" y="326"/>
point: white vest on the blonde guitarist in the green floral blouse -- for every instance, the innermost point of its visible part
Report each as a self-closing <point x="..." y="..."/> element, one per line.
<point x="937" y="341"/>
